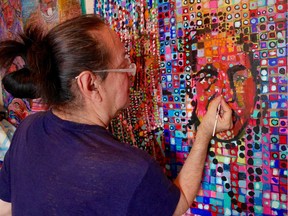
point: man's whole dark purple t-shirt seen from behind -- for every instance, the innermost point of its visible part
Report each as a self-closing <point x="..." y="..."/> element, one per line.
<point x="57" y="167"/>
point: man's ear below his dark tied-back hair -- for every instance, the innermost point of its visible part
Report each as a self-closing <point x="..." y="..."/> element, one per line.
<point x="88" y="84"/>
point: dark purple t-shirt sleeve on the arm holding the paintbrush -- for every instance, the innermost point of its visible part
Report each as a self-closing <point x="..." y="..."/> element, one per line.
<point x="155" y="195"/>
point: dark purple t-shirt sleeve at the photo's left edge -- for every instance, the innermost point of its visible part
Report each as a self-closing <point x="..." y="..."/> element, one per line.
<point x="5" y="194"/>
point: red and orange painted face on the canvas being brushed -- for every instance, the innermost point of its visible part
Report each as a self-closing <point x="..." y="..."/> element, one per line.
<point x="223" y="68"/>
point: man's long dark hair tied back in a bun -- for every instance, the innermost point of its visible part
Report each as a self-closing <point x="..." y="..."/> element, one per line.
<point x="53" y="60"/>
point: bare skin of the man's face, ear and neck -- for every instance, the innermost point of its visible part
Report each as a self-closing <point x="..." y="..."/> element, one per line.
<point x="102" y="99"/>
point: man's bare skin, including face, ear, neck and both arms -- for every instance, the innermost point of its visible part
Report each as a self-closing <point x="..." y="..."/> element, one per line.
<point x="102" y="100"/>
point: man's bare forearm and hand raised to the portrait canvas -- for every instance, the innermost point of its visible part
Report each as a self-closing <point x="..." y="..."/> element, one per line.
<point x="189" y="178"/>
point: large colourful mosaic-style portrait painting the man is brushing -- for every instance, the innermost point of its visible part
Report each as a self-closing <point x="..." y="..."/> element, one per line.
<point x="228" y="48"/>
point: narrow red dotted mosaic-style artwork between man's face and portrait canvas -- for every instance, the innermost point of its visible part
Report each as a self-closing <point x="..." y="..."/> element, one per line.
<point x="137" y="25"/>
